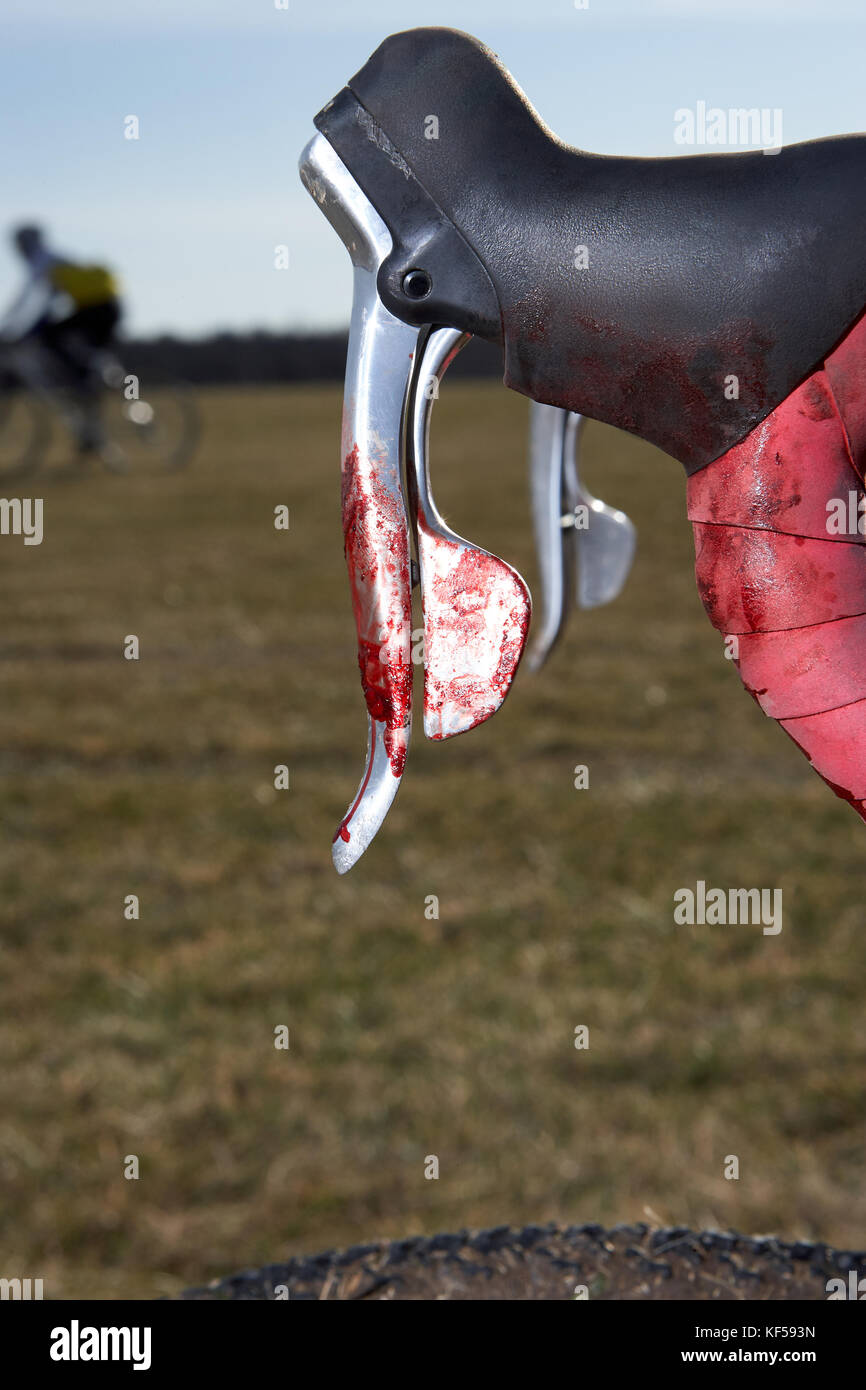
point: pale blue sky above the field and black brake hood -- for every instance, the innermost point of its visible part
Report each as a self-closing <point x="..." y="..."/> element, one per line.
<point x="226" y="92"/>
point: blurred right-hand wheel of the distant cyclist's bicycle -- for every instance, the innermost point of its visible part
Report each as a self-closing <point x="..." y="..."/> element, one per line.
<point x="154" y="434"/>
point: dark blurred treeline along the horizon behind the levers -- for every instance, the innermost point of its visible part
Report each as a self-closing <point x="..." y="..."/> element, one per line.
<point x="262" y="358"/>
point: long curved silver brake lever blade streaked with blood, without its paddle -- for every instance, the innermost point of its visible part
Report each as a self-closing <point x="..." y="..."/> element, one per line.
<point x="376" y="529"/>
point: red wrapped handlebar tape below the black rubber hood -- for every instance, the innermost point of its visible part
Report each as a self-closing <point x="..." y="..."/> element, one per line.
<point x="769" y="569"/>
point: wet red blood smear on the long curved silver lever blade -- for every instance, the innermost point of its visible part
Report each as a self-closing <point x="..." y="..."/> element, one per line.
<point x="377" y="555"/>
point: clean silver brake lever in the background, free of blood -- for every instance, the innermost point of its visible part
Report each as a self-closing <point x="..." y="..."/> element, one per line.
<point x="585" y="548"/>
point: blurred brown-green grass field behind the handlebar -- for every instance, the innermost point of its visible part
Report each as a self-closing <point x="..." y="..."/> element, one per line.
<point x="409" y="1038"/>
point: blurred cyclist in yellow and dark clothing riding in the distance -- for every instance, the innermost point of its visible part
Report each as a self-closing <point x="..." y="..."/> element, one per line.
<point x="72" y="313"/>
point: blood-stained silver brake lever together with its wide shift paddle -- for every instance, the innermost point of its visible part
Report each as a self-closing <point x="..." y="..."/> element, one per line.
<point x="476" y="608"/>
